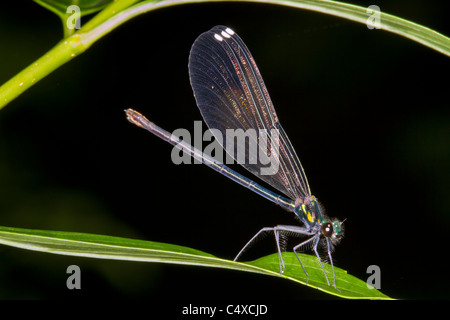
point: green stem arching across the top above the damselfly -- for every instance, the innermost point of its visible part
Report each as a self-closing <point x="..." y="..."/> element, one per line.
<point x="120" y="12"/>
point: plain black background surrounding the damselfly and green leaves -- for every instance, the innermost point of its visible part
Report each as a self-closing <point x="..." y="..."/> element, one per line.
<point x="366" y="110"/>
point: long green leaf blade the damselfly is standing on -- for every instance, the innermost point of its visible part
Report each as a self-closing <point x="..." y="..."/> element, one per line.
<point x="108" y="247"/>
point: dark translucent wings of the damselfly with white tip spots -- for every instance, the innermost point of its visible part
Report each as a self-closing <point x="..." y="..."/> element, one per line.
<point x="231" y="94"/>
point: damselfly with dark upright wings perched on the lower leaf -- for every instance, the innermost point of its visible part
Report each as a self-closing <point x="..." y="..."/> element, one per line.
<point x="231" y="94"/>
